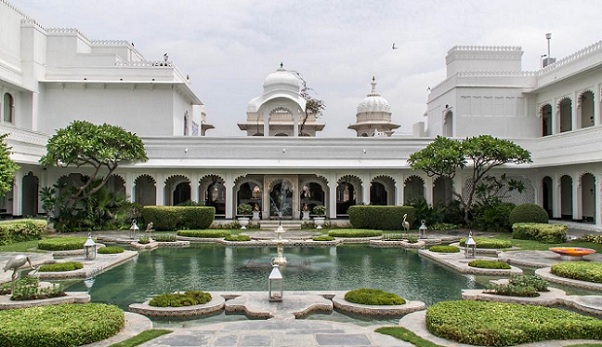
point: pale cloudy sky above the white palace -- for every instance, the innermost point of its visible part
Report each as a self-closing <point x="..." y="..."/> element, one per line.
<point x="229" y="47"/>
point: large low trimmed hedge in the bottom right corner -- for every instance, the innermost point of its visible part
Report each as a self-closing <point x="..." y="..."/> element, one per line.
<point x="502" y="324"/>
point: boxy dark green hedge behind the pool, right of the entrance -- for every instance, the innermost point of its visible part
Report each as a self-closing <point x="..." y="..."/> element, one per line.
<point x="380" y="217"/>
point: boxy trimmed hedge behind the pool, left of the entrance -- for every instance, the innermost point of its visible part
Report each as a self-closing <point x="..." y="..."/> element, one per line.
<point x="174" y="217"/>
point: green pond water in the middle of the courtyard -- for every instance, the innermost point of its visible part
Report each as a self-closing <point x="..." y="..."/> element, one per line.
<point x="219" y="268"/>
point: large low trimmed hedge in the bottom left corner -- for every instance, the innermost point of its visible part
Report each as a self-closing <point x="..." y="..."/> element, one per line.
<point x="66" y="325"/>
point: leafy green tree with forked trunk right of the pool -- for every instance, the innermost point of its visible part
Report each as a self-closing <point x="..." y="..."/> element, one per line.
<point x="445" y="157"/>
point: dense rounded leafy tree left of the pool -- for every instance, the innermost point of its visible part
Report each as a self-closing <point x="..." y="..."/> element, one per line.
<point x="83" y="144"/>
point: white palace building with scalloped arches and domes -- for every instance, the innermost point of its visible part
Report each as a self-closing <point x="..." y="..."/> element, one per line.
<point x="50" y="77"/>
